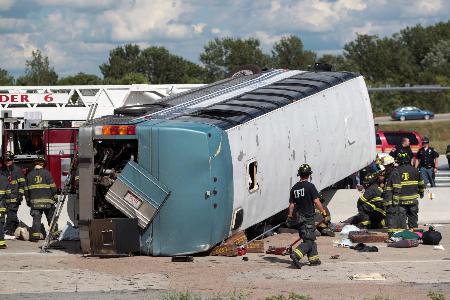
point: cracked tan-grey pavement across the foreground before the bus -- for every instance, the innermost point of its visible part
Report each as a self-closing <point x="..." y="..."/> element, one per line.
<point x="405" y="274"/>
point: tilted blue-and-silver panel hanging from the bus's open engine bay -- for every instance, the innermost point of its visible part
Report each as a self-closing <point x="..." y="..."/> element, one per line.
<point x="138" y="194"/>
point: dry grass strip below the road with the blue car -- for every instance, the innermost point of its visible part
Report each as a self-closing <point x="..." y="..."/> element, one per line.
<point x="437" y="131"/>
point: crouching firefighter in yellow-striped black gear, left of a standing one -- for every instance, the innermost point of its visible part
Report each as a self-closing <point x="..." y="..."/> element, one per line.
<point x="371" y="212"/>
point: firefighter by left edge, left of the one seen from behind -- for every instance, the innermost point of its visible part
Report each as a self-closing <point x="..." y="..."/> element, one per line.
<point x="17" y="184"/>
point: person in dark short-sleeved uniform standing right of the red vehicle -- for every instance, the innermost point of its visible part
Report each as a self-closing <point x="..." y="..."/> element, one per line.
<point x="427" y="162"/>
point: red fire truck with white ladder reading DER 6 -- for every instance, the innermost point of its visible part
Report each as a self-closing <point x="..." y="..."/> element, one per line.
<point x="44" y="120"/>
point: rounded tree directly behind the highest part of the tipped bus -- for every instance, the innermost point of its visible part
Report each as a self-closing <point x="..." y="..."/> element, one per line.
<point x="289" y="53"/>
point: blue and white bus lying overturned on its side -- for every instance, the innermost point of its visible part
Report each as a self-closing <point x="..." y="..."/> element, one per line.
<point x="202" y="165"/>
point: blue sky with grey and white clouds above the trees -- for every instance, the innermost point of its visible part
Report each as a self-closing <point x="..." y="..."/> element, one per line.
<point x="78" y="35"/>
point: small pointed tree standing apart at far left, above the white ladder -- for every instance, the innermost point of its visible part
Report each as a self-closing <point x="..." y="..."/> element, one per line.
<point x="38" y="71"/>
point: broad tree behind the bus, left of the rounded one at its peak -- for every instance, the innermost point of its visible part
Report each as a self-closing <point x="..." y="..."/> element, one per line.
<point x="220" y="56"/>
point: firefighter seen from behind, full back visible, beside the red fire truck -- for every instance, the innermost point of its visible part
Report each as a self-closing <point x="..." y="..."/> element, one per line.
<point x="41" y="196"/>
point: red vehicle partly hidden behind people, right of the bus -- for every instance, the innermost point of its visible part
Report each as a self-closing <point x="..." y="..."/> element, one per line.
<point x="386" y="140"/>
